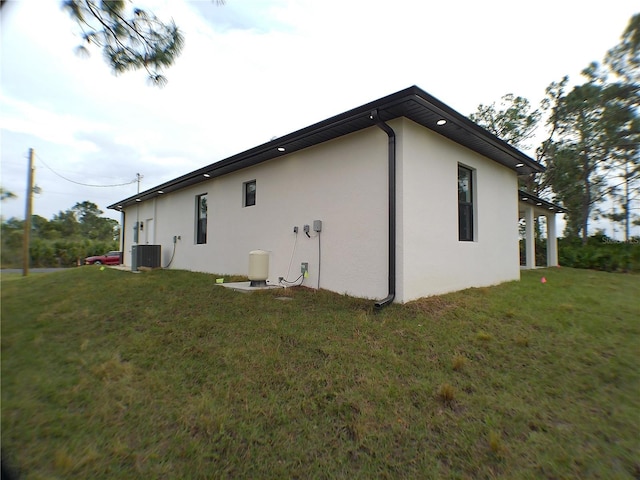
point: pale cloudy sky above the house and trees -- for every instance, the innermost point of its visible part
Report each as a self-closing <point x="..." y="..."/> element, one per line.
<point x="255" y="69"/>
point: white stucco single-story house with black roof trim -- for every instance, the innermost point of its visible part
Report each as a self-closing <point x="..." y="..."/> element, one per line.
<point x="412" y="198"/>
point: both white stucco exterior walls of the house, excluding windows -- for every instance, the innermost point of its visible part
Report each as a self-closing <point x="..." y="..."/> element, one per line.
<point x="343" y="182"/>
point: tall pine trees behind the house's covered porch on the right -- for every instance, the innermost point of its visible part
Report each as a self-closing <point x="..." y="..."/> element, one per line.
<point x="591" y="149"/>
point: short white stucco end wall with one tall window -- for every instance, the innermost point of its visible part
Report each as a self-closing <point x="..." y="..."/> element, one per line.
<point x="433" y="260"/>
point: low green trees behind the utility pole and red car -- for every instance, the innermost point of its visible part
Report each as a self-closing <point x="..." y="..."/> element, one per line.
<point x="63" y="241"/>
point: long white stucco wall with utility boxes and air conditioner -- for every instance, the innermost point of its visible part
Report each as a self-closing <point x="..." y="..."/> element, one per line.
<point x="342" y="182"/>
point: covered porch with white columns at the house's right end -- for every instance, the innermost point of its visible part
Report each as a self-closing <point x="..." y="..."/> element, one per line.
<point x="530" y="208"/>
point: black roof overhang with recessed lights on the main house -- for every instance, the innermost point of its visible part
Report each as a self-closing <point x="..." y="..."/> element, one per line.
<point x="412" y="103"/>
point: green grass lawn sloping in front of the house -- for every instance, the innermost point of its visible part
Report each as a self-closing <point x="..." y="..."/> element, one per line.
<point x="107" y="374"/>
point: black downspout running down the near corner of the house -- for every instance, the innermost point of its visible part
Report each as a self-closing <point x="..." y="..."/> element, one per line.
<point x="392" y="210"/>
